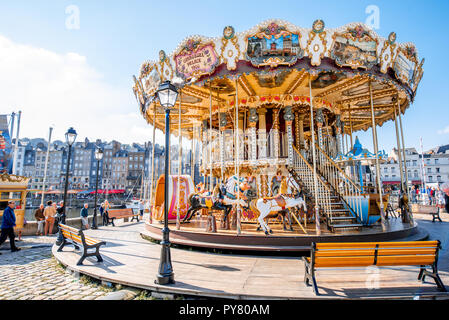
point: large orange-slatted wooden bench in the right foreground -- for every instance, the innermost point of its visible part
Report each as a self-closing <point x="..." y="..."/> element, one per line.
<point x="364" y="254"/>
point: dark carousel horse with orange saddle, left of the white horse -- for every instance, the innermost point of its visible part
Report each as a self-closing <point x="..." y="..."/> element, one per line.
<point x="223" y="198"/>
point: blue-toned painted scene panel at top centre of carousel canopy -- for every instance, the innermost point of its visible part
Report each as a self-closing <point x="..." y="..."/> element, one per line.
<point x="273" y="46"/>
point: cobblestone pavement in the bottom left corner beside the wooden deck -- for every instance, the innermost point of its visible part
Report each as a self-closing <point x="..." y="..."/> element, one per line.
<point x="33" y="274"/>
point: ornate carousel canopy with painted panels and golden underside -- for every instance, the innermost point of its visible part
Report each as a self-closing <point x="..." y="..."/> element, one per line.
<point x="268" y="66"/>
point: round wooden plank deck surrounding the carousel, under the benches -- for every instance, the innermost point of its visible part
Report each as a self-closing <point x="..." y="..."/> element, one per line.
<point x="132" y="261"/>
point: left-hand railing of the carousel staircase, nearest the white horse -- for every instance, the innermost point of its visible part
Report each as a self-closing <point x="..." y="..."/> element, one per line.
<point x="306" y="173"/>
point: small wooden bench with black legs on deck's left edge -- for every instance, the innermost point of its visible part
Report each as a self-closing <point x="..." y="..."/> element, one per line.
<point x="78" y="238"/>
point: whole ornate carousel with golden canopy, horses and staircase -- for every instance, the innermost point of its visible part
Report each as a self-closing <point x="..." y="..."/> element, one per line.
<point x="268" y="111"/>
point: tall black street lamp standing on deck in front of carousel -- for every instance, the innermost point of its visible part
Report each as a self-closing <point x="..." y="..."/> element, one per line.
<point x="167" y="95"/>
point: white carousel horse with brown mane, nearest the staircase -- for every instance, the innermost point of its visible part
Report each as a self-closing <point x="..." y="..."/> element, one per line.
<point x="272" y="207"/>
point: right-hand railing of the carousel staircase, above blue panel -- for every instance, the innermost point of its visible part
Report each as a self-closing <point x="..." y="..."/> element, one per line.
<point x="340" y="181"/>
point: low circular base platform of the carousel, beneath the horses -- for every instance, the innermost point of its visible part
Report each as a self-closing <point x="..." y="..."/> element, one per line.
<point x="192" y="234"/>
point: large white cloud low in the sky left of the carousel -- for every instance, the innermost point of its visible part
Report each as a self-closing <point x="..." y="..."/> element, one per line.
<point x="63" y="90"/>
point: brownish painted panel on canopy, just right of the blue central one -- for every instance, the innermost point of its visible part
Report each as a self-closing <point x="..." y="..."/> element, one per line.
<point x="355" y="48"/>
